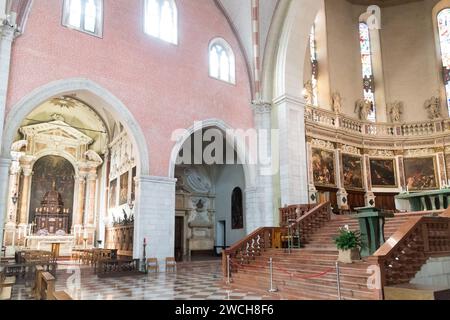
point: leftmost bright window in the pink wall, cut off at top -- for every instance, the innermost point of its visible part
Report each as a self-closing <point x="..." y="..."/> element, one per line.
<point x="84" y="15"/>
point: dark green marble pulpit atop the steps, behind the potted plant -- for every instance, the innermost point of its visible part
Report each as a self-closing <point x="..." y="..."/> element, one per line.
<point x="371" y="225"/>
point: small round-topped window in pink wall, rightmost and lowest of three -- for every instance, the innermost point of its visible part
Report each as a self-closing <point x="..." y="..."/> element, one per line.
<point x="221" y="61"/>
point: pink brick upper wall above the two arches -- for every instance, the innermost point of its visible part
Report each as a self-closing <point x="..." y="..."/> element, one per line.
<point x="166" y="87"/>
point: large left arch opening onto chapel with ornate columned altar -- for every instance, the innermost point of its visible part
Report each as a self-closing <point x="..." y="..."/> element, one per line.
<point x="84" y="124"/>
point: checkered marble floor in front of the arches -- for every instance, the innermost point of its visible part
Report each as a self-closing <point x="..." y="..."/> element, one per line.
<point x="187" y="284"/>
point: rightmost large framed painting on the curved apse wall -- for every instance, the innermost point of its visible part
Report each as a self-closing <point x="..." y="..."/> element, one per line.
<point x="420" y="173"/>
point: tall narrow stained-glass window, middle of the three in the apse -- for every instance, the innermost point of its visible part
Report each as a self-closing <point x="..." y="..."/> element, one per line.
<point x="367" y="67"/>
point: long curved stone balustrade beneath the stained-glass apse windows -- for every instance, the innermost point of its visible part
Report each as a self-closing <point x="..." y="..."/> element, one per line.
<point x="330" y="119"/>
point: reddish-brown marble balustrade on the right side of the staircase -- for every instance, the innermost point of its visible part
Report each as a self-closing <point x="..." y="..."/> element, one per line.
<point x="418" y="239"/>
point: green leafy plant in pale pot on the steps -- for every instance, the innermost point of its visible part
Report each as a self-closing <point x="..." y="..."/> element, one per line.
<point x="349" y="244"/>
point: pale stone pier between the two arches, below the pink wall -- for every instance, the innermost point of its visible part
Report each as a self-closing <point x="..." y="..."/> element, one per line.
<point x="155" y="218"/>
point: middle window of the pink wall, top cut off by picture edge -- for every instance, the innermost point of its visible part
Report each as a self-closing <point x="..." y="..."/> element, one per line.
<point x="161" y="20"/>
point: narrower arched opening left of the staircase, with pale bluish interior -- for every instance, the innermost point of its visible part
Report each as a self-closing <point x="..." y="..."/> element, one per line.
<point x="206" y="195"/>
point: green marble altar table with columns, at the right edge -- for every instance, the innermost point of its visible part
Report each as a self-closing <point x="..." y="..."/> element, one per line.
<point x="423" y="201"/>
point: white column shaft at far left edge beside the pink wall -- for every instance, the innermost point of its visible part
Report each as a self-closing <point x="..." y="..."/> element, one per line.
<point x="7" y="34"/>
